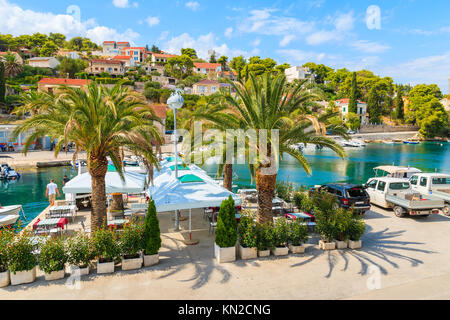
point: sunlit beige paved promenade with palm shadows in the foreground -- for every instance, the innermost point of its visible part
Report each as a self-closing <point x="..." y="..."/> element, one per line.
<point x="404" y="258"/>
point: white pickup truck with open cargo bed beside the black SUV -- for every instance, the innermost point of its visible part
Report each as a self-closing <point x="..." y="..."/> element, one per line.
<point x="396" y="193"/>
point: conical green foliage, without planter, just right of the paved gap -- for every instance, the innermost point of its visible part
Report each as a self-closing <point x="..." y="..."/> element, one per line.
<point x="226" y="230"/>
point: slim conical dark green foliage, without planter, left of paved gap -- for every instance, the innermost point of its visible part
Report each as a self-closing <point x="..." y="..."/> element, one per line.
<point x="152" y="233"/>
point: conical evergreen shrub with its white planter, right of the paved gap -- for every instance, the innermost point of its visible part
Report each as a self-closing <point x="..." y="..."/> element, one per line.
<point x="226" y="233"/>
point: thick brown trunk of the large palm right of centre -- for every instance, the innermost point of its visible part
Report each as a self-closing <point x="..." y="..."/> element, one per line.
<point x="265" y="184"/>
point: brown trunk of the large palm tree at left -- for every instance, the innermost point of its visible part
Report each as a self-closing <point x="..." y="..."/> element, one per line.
<point x="97" y="169"/>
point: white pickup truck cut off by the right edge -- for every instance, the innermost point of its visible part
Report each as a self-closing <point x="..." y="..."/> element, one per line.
<point x="435" y="184"/>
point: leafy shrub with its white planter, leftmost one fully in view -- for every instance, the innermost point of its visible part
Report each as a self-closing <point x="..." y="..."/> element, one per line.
<point x="22" y="261"/>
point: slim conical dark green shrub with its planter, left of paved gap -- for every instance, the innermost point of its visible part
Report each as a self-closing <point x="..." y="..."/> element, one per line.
<point x="151" y="237"/>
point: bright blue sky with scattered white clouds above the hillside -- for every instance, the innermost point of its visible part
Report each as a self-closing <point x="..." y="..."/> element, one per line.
<point x="412" y="44"/>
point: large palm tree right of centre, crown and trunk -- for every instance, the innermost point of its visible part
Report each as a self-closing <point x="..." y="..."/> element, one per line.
<point x="268" y="103"/>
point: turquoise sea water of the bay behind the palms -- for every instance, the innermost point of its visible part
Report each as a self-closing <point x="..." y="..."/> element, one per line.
<point x="29" y="191"/>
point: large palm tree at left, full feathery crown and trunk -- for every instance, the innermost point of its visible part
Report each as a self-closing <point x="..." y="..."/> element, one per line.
<point x="99" y="121"/>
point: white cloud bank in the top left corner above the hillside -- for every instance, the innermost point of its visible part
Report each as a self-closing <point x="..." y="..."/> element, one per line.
<point x="17" y="21"/>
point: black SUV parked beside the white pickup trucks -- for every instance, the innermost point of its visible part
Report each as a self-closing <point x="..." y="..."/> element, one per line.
<point x="349" y="195"/>
